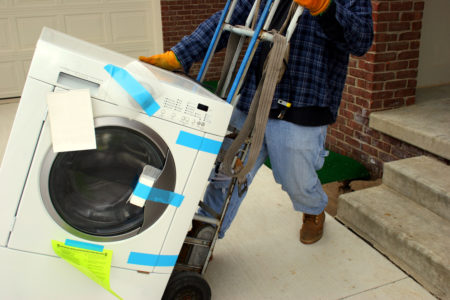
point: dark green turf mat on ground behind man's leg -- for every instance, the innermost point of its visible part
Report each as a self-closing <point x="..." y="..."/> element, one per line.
<point x="339" y="167"/>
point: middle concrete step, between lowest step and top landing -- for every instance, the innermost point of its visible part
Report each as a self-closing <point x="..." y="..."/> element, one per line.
<point x="422" y="179"/>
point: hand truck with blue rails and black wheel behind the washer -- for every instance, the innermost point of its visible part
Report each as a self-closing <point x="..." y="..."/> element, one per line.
<point x="186" y="281"/>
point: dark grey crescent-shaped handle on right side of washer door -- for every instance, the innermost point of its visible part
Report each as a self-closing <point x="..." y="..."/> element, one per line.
<point x="166" y="181"/>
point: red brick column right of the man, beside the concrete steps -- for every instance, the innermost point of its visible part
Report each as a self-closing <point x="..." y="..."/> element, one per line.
<point x="384" y="78"/>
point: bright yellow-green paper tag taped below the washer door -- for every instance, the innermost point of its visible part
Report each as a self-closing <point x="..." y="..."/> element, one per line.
<point x="94" y="264"/>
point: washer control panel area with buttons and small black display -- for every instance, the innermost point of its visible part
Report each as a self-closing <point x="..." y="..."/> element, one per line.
<point x="190" y="113"/>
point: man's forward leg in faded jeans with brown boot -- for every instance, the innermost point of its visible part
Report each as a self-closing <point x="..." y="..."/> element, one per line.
<point x="296" y="153"/>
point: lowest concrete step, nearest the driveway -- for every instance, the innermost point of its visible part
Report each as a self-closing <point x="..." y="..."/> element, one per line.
<point x="415" y="238"/>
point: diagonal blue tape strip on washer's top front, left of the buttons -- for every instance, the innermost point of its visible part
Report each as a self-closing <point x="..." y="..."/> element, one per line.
<point x="134" y="88"/>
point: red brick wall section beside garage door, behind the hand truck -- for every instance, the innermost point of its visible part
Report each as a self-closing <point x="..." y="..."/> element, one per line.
<point x="181" y="17"/>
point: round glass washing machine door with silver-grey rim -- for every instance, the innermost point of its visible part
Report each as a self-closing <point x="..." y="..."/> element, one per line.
<point x="87" y="192"/>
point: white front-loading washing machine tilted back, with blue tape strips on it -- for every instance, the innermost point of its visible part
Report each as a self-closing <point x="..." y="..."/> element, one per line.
<point x="82" y="196"/>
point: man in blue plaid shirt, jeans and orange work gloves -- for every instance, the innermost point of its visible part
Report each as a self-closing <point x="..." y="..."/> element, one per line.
<point x="326" y="33"/>
